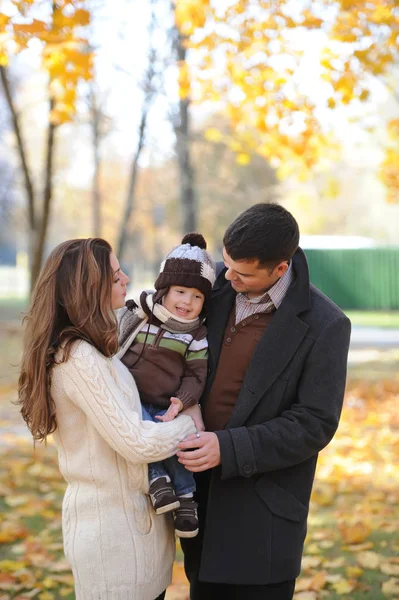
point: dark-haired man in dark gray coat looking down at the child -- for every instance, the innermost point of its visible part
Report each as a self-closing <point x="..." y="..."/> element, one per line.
<point x="278" y="354"/>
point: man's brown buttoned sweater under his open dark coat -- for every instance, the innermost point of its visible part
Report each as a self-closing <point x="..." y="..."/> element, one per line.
<point x="238" y="346"/>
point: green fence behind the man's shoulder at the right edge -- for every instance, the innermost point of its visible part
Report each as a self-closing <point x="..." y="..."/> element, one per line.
<point x="361" y="279"/>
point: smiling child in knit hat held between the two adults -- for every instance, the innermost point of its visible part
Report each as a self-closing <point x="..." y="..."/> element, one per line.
<point x="164" y="345"/>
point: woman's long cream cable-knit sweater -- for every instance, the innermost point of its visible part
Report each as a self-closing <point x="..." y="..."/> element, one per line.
<point x="119" y="549"/>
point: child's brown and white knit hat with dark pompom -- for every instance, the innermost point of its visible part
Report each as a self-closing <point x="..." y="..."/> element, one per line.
<point x="189" y="265"/>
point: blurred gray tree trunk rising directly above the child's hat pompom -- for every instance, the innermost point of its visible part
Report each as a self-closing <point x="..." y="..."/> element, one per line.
<point x="182" y="127"/>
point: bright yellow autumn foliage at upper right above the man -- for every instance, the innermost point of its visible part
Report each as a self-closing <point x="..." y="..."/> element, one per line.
<point x="245" y="55"/>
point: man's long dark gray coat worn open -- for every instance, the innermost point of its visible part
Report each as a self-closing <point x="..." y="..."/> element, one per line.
<point x="254" y="507"/>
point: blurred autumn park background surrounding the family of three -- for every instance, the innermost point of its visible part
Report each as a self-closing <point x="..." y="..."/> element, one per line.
<point x="141" y="120"/>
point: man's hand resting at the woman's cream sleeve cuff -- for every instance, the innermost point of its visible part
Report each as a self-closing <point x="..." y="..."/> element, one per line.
<point x="206" y="454"/>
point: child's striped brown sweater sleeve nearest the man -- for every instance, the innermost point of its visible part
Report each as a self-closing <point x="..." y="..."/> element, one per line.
<point x="195" y="372"/>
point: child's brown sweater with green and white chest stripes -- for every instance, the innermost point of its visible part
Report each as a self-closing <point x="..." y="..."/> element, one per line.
<point x="170" y="364"/>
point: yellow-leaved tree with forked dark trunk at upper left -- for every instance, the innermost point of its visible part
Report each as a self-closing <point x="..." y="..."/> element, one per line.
<point x="56" y="30"/>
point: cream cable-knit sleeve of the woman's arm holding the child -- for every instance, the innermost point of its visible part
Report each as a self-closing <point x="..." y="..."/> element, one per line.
<point x="89" y="384"/>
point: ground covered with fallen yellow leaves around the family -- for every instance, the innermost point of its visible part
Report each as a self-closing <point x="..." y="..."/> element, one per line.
<point x="352" y="547"/>
